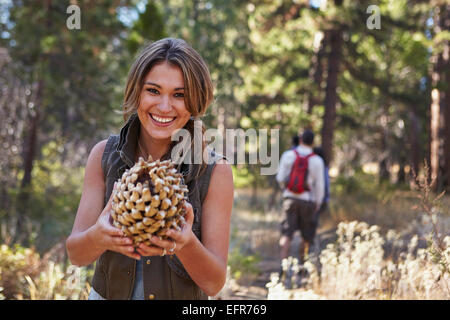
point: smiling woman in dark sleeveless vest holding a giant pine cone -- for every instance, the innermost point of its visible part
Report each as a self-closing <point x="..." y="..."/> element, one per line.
<point x="168" y="87"/>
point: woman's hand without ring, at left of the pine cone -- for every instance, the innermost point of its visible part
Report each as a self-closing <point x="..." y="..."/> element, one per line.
<point x="108" y="237"/>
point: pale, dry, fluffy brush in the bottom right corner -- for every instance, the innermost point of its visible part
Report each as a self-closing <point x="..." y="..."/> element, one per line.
<point x="354" y="268"/>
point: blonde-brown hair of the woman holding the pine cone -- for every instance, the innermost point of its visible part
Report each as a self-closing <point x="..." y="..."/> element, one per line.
<point x="198" y="87"/>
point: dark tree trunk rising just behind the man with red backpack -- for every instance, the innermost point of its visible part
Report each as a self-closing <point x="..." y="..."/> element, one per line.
<point x="334" y="61"/>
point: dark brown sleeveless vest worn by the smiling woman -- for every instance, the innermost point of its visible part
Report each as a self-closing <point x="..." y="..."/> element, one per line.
<point x="164" y="277"/>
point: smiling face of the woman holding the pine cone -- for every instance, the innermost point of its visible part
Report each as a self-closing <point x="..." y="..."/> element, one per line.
<point x="162" y="110"/>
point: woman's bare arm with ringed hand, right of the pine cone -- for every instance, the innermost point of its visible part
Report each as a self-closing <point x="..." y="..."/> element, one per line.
<point x="206" y="261"/>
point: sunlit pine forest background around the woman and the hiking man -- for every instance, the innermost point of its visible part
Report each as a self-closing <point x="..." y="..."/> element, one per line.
<point x="369" y="78"/>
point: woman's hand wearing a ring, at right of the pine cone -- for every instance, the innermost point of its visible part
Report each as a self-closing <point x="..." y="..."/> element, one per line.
<point x="177" y="240"/>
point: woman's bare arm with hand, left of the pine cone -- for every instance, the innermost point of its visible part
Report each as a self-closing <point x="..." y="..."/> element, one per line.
<point x="92" y="232"/>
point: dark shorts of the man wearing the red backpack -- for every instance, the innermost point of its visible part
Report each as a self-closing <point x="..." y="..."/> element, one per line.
<point x="299" y="215"/>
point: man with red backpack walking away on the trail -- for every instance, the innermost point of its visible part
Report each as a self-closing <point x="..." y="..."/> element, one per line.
<point x="301" y="175"/>
